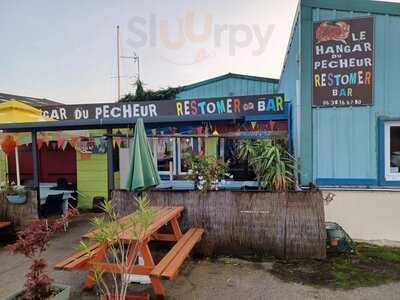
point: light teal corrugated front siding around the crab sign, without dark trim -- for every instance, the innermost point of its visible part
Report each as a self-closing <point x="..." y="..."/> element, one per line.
<point x="345" y="139"/>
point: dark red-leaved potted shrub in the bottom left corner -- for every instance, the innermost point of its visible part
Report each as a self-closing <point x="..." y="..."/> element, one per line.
<point x="31" y="242"/>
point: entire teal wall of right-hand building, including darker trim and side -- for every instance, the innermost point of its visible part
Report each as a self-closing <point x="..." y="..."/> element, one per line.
<point x="342" y="143"/>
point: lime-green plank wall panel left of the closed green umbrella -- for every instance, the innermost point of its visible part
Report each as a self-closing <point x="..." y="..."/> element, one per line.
<point x="91" y="178"/>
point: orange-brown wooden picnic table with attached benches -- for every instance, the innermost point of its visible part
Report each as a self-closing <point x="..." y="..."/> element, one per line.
<point x="166" y="268"/>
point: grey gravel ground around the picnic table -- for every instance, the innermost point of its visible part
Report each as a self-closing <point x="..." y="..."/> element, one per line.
<point x="223" y="278"/>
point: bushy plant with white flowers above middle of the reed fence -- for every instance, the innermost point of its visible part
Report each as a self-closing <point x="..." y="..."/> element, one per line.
<point x="207" y="172"/>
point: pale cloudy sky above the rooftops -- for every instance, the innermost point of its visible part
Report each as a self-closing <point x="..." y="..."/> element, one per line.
<point x="67" y="50"/>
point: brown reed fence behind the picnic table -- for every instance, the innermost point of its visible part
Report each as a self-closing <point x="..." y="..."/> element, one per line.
<point x="285" y="225"/>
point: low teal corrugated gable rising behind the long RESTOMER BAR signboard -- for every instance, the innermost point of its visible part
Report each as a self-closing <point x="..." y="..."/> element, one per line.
<point x="229" y="87"/>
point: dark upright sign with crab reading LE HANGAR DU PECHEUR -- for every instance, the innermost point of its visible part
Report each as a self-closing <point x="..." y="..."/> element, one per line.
<point x="343" y="52"/>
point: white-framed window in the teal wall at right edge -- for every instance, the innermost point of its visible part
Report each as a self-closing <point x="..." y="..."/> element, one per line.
<point x="392" y="150"/>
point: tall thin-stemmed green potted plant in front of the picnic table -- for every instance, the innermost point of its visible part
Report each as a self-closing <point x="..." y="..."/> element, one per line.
<point x="124" y="255"/>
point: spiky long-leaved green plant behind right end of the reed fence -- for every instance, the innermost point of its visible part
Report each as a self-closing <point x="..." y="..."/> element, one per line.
<point x="271" y="162"/>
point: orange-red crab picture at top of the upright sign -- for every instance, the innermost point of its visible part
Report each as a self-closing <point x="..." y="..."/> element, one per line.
<point x="338" y="31"/>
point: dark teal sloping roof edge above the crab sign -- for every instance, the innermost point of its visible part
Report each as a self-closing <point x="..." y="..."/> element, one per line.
<point x="367" y="6"/>
